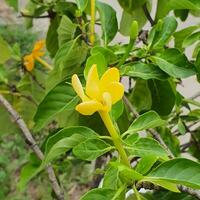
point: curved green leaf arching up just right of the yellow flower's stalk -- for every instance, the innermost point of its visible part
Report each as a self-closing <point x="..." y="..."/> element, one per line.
<point x="145" y="121"/>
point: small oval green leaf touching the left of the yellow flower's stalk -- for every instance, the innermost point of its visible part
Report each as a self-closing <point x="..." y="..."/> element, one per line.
<point x="91" y="149"/>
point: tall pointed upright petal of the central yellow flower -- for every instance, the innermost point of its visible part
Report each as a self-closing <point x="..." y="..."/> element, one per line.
<point x="92" y="84"/>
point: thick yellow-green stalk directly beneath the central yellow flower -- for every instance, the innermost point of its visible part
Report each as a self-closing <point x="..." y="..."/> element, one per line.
<point x="115" y="137"/>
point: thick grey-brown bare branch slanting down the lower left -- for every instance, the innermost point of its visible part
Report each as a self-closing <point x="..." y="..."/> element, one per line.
<point x="31" y="141"/>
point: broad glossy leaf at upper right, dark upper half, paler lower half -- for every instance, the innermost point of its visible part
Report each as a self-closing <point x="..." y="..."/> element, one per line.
<point x="174" y="63"/>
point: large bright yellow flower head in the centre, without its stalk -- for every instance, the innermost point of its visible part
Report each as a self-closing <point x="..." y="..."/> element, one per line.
<point x="99" y="94"/>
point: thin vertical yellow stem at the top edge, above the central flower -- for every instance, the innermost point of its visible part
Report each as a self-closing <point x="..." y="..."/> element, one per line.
<point x="92" y="22"/>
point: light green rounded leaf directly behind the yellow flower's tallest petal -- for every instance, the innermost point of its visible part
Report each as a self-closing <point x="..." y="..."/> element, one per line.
<point x="97" y="59"/>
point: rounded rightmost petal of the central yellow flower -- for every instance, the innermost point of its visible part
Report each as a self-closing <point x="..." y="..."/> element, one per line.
<point x="116" y="91"/>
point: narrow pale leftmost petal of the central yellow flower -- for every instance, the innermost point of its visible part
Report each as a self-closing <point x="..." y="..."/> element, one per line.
<point x="76" y="84"/>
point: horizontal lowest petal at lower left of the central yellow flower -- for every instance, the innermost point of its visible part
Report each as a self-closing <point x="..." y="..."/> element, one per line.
<point x="89" y="107"/>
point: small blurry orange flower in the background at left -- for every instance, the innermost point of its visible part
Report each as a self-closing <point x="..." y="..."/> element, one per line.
<point x="29" y="60"/>
